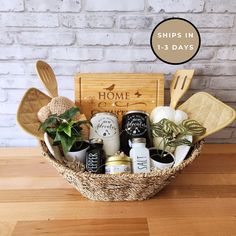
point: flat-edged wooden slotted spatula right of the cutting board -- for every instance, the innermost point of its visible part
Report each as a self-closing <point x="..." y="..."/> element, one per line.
<point x="179" y="85"/>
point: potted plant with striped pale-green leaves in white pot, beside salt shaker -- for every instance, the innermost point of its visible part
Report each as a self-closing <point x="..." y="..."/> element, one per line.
<point x="172" y="136"/>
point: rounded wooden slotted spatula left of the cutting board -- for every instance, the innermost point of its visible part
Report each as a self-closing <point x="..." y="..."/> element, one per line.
<point x="47" y="76"/>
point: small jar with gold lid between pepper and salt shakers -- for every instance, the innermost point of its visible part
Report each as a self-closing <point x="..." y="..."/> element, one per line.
<point x="118" y="164"/>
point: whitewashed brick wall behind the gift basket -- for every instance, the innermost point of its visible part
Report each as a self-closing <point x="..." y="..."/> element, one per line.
<point x="108" y="36"/>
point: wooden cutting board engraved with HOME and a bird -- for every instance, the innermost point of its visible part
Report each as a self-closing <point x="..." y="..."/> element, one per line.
<point x="118" y="93"/>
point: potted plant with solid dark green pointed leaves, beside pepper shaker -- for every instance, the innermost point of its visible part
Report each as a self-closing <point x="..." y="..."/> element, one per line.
<point x="66" y="132"/>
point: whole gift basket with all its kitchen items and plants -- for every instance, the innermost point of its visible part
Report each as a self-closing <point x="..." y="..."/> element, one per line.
<point x="118" y="142"/>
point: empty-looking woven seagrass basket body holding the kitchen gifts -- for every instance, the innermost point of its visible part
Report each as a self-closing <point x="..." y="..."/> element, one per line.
<point x="123" y="187"/>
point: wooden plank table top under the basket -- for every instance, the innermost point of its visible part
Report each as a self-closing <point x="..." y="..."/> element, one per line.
<point x="35" y="200"/>
